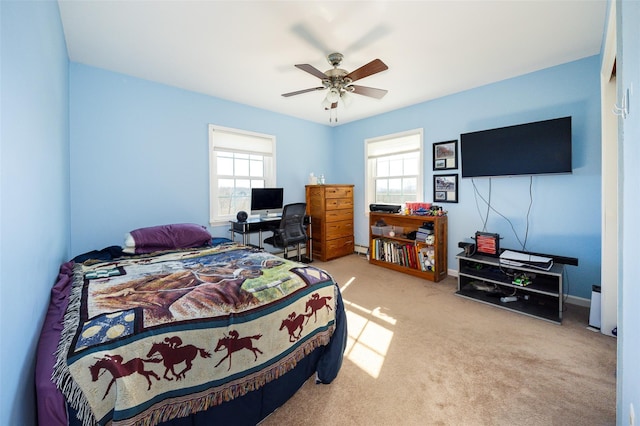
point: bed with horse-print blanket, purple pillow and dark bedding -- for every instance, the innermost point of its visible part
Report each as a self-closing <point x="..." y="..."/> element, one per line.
<point x="184" y="333"/>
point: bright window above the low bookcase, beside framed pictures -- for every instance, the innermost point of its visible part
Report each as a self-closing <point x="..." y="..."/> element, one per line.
<point x="394" y="168"/>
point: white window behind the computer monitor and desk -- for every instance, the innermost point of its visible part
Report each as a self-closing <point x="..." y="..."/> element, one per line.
<point x="238" y="161"/>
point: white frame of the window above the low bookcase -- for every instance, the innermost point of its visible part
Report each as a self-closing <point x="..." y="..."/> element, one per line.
<point x="370" y="177"/>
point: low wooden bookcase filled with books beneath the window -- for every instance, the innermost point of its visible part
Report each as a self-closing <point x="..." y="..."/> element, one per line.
<point x="391" y="247"/>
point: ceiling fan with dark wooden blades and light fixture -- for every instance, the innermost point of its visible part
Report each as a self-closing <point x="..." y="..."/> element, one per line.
<point x="339" y="82"/>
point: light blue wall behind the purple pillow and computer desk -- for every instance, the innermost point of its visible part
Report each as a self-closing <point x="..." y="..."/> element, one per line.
<point x="139" y="154"/>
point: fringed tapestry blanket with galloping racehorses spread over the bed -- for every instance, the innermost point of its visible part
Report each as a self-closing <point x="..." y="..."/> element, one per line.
<point x="150" y="338"/>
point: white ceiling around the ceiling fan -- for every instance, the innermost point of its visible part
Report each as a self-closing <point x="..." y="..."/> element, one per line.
<point x="245" y="51"/>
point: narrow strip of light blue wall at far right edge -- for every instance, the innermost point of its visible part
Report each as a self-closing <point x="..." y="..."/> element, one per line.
<point x="628" y="66"/>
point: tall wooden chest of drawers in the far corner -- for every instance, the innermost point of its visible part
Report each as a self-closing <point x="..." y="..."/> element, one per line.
<point x="331" y="210"/>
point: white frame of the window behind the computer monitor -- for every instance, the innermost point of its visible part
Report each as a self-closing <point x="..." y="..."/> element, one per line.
<point x="263" y="145"/>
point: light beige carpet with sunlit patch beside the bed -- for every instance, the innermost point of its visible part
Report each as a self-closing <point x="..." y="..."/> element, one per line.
<point x="420" y="355"/>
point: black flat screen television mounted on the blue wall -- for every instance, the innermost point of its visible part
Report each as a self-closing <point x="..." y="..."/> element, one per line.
<point x="542" y="147"/>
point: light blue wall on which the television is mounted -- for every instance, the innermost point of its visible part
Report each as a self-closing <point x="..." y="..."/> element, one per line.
<point x="565" y="216"/>
